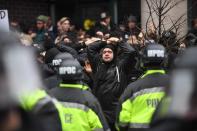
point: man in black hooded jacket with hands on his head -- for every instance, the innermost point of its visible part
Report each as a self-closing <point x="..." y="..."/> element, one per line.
<point x="110" y="73"/>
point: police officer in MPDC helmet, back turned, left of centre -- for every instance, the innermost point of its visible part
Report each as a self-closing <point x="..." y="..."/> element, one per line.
<point x="79" y="109"/>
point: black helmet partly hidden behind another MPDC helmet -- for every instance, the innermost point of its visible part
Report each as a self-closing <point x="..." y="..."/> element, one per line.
<point x="60" y="57"/>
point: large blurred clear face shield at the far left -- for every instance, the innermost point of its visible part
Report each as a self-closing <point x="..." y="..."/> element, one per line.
<point x="22" y="72"/>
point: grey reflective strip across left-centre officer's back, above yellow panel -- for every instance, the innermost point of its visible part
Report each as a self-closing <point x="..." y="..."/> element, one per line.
<point x="75" y="105"/>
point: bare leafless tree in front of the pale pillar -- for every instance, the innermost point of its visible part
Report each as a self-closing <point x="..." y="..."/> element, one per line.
<point x="159" y="14"/>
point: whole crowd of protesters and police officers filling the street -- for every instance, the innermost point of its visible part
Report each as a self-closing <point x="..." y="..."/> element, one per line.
<point x="107" y="78"/>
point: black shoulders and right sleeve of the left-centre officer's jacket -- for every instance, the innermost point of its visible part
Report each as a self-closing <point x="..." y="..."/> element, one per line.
<point x="79" y="96"/>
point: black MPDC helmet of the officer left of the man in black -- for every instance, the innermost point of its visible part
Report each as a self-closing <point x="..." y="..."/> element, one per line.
<point x="70" y="70"/>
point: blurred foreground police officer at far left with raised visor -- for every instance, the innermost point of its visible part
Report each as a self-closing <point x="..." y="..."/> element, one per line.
<point x="20" y="77"/>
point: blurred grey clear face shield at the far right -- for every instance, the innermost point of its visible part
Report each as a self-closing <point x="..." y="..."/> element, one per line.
<point x="181" y="91"/>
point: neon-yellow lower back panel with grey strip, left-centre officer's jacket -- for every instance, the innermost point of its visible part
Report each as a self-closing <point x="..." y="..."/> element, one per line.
<point x="75" y="117"/>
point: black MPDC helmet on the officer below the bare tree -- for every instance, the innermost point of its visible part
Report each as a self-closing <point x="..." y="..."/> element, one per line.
<point x="154" y="55"/>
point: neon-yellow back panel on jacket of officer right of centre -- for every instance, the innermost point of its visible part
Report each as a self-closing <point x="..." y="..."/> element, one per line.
<point x="140" y="107"/>
